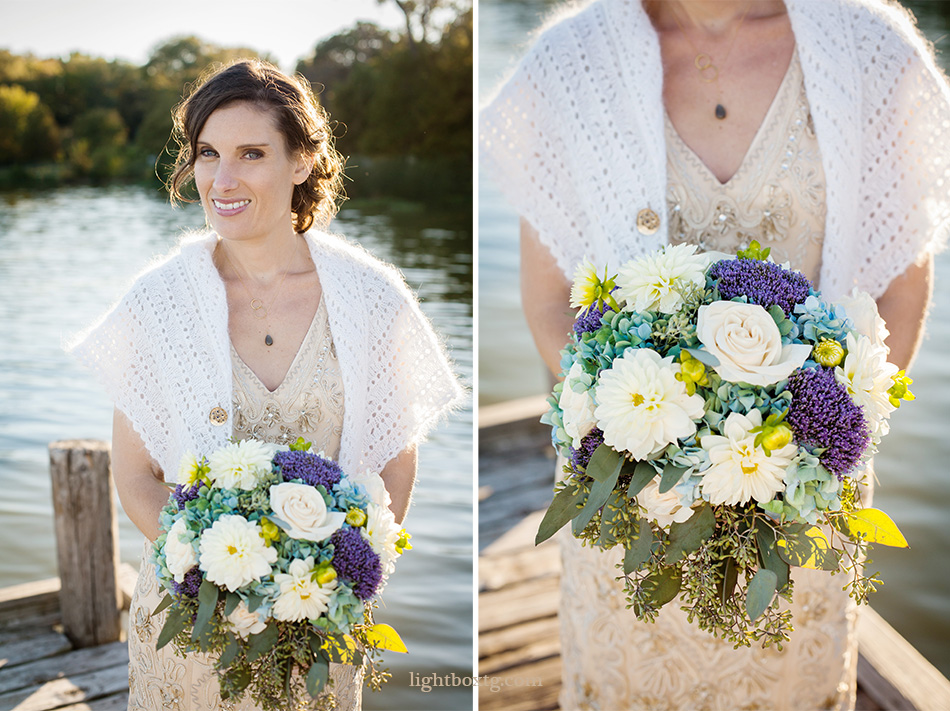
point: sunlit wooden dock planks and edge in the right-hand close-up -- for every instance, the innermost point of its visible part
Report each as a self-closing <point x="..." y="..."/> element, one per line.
<point x="518" y="630"/>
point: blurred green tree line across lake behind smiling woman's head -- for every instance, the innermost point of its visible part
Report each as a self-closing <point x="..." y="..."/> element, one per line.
<point x="400" y="104"/>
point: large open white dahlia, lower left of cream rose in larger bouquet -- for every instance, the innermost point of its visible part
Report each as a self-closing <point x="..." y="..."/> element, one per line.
<point x="642" y="407"/>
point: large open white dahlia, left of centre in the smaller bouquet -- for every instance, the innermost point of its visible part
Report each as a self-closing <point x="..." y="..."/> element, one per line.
<point x="233" y="553"/>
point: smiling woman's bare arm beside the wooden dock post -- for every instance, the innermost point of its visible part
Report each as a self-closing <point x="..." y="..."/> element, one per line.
<point x="138" y="479"/>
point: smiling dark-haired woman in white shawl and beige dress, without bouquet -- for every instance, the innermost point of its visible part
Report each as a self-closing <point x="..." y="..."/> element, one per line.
<point x="264" y="327"/>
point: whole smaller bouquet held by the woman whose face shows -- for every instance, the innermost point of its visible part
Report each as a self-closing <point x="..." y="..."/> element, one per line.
<point x="271" y="558"/>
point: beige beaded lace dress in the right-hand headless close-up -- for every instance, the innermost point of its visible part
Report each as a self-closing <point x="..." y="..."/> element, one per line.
<point x="612" y="662"/>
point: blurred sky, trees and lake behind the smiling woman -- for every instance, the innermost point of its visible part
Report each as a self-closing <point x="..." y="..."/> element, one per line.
<point x="86" y="91"/>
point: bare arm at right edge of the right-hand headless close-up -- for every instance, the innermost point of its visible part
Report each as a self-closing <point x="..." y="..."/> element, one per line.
<point x="904" y="308"/>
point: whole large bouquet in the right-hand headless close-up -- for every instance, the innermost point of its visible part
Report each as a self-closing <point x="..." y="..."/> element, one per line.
<point x="716" y="415"/>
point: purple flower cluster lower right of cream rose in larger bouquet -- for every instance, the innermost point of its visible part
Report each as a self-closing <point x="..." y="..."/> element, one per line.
<point x="823" y="415"/>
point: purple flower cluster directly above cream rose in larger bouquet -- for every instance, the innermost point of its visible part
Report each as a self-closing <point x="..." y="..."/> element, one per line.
<point x="764" y="283"/>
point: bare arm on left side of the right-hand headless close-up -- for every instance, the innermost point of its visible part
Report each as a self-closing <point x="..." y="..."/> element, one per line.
<point x="545" y="298"/>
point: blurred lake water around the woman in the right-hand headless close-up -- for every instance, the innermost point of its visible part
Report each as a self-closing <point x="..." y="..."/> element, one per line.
<point x="911" y="467"/>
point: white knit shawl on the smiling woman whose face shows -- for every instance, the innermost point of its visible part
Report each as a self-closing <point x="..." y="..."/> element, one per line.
<point x="163" y="355"/>
